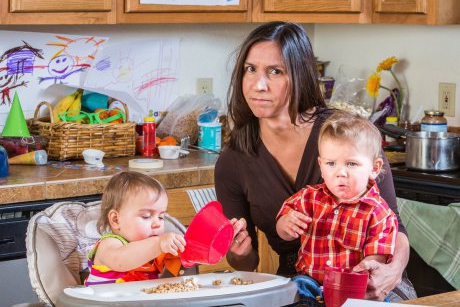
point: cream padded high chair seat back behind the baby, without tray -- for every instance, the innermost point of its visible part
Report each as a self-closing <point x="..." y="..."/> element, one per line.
<point x="58" y="240"/>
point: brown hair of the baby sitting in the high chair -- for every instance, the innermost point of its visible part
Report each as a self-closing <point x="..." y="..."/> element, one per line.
<point x="120" y="188"/>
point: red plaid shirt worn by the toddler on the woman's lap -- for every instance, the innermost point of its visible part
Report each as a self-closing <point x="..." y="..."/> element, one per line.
<point x="341" y="234"/>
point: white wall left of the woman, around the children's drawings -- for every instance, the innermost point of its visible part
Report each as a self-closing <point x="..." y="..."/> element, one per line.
<point x="205" y="50"/>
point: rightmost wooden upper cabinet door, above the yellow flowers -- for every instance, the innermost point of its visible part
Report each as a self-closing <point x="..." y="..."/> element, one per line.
<point x="424" y="12"/>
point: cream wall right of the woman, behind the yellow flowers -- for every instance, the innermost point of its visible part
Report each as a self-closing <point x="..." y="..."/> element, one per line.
<point x="429" y="55"/>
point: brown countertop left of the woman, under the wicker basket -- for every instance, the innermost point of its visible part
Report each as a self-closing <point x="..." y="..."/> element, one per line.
<point x="76" y="178"/>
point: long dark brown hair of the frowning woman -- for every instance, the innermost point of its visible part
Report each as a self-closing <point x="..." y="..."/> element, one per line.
<point x="304" y="91"/>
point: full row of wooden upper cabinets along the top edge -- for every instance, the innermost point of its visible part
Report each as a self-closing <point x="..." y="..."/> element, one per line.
<point x="426" y="12"/>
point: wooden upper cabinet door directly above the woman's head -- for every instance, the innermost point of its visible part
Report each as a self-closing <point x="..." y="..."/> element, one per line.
<point x="317" y="11"/>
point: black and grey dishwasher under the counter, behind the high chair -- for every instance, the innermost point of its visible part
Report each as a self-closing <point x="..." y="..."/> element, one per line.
<point x="14" y="219"/>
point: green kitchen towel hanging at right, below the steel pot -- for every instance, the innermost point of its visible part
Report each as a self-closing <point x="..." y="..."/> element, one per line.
<point x="434" y="234"/>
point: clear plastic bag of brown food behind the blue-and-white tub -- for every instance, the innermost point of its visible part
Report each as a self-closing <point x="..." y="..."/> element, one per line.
<point x="181" y="119"/>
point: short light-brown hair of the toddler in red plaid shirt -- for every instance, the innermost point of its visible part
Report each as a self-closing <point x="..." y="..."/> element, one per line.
<point x="354" y="129"/>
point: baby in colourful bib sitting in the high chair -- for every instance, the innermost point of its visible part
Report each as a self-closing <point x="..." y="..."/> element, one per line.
<point x="134" y="245"/>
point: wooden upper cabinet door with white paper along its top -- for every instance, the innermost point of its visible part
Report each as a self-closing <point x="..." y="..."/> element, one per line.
<point x="134" y="12"/>
